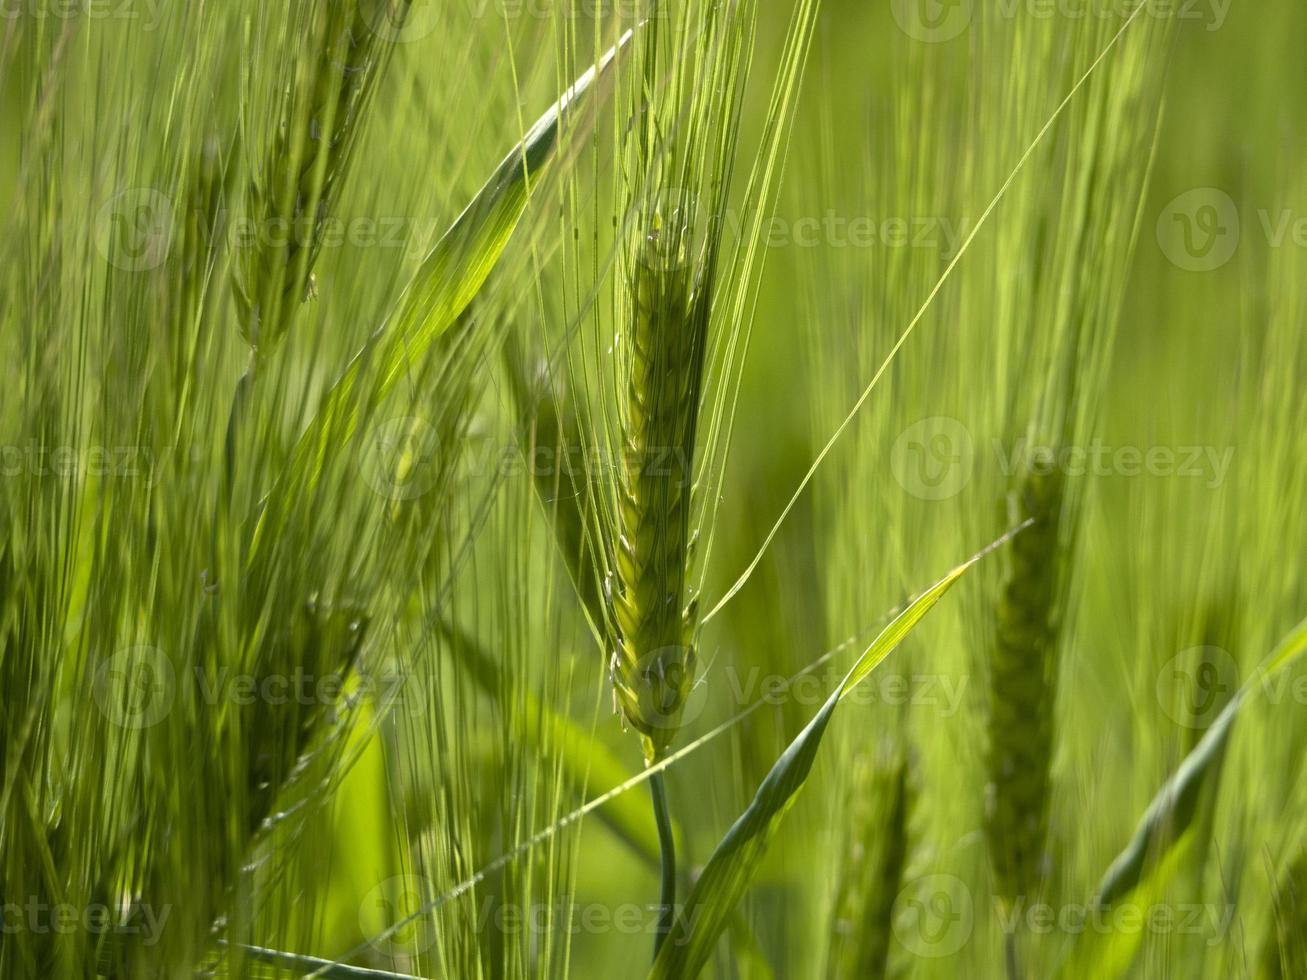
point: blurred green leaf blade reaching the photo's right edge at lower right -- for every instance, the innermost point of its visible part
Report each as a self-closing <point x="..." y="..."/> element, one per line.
<point x="1166" y="832"/>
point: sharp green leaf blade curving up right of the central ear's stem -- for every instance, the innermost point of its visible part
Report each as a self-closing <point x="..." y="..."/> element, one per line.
<point x="730" y="871"/>
